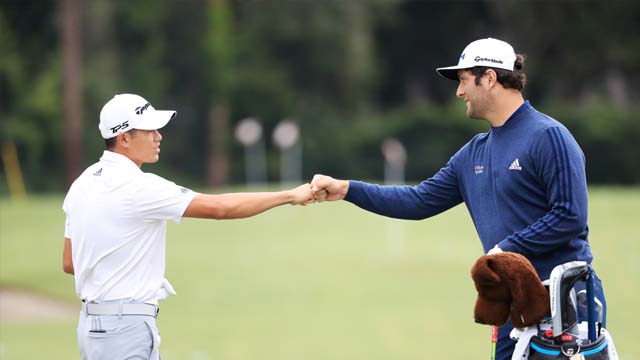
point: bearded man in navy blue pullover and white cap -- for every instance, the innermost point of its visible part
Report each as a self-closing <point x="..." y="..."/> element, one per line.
<point x="523" y="181"/>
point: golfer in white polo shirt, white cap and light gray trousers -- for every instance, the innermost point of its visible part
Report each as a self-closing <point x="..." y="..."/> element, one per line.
<point x="115" y="231"/>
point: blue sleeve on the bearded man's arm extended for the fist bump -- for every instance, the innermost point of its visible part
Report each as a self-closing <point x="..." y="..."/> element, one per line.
<point x="429" y="198"/>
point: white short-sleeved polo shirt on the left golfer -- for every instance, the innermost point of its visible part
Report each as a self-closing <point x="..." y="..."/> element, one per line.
<point x="116" y="220"/>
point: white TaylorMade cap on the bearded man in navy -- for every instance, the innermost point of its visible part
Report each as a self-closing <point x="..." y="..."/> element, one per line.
<point x="484" y="52"/>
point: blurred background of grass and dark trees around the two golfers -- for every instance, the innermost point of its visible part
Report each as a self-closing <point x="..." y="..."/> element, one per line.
<point x="269" y="93"/>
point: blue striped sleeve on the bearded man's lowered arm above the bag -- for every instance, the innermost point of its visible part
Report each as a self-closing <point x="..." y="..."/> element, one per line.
<point x="561" y="166"/>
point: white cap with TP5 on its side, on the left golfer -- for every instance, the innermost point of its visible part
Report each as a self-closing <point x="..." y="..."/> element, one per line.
<point x="128" y="111"/>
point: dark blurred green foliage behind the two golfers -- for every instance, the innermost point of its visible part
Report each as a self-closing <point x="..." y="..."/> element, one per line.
<point x="352" y="73"/>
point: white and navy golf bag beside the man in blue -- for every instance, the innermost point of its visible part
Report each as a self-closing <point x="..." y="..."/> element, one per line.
<point x="562" y="336"/>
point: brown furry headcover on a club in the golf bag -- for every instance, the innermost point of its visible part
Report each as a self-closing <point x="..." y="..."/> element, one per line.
<point x="508" y="285"/>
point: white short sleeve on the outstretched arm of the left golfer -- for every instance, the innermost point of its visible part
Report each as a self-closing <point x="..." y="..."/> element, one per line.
<point x="160" y="199"/>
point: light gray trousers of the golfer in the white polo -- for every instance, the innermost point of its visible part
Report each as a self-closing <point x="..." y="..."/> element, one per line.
<point x="113" y="337"/>
